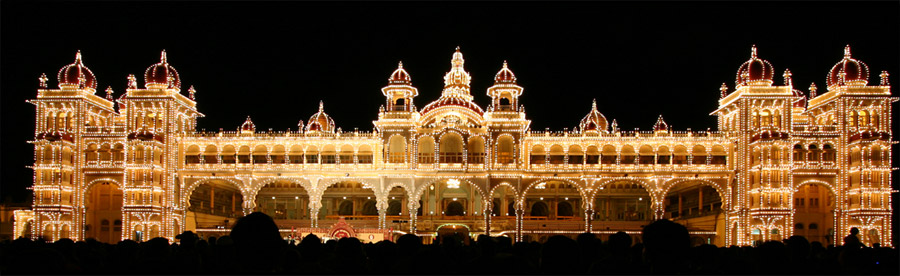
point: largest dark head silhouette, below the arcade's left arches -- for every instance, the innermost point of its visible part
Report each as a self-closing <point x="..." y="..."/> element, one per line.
<point x="258" y="243"/>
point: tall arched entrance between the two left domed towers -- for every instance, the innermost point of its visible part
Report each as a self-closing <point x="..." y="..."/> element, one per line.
<point x="103" y="210"/>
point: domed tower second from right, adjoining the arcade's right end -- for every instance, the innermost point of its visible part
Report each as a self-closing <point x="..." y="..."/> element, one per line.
<point x="757" y="114"/>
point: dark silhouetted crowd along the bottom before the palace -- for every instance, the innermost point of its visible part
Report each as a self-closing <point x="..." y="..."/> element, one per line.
<point x="256" y="247"/>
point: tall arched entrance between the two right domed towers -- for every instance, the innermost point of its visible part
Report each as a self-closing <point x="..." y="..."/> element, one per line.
<point x="814" y="212"/>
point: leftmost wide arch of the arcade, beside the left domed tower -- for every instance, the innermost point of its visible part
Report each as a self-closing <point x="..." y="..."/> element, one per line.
<point x="214" y="203"/>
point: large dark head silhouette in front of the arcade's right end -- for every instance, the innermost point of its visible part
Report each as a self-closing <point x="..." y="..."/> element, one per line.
<point x="666" y="245"/>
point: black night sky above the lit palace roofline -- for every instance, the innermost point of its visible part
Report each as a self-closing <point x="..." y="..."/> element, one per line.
<point x="274" y="61"/>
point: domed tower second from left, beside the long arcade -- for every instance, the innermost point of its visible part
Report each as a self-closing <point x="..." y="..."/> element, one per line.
<point x="155" y="116"/>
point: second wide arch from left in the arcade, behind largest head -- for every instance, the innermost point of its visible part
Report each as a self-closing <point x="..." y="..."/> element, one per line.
<point x="283" y="199"/>
